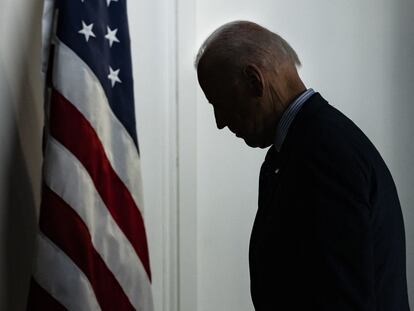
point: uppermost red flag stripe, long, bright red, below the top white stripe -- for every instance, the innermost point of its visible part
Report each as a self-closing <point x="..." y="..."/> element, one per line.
<point x="74" y="131"/>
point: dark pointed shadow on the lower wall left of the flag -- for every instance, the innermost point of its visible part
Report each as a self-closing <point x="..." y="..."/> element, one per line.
<point x="20" y="227"/>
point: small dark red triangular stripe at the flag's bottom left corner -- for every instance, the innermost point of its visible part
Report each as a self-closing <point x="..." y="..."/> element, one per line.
<point x="41" y="300"/>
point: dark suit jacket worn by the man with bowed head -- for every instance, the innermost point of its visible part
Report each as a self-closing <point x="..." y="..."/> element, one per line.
<point x="329" y="232"/>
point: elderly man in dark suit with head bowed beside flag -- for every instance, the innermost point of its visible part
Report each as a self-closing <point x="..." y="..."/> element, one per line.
<point x="329" y="232"/>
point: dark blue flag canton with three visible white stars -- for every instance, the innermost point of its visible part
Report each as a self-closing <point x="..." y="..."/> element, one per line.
<point x="97" y="31"/>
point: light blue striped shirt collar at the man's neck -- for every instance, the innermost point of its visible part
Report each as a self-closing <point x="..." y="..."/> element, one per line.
<point x="288" y="117"/>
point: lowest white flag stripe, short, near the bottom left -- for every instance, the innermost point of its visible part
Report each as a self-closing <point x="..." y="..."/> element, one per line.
<point x="62" y="279"/>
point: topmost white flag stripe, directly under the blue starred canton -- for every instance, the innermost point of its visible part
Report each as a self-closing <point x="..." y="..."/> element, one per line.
<point x="77" y="83"/>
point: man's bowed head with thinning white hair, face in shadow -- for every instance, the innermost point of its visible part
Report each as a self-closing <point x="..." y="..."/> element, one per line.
<point x="249" y="75"/>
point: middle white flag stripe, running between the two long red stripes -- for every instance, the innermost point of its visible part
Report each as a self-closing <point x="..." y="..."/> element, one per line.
<point x="67" y="177"/>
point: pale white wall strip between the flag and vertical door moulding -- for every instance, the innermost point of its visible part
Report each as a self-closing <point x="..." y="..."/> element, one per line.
<point x="152" y="29"/>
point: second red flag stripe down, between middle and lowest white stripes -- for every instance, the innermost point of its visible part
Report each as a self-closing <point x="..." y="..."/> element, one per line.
<point x="62" y="225"/>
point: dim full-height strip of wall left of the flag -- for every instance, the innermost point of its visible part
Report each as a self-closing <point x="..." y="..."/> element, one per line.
<point x="22" y="156"/>
